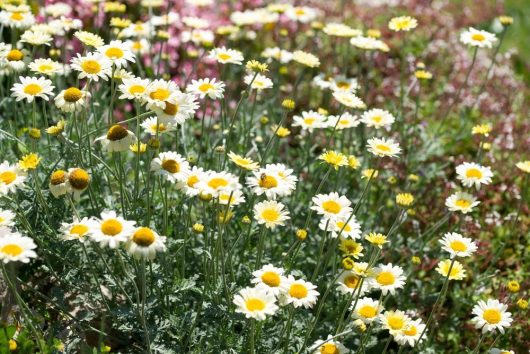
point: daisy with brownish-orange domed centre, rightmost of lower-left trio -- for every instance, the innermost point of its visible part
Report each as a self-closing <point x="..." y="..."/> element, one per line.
<point x="145" y="243"/>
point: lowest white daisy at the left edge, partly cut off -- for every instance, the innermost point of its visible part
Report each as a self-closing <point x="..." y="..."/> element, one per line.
<point x="16" y="248"/>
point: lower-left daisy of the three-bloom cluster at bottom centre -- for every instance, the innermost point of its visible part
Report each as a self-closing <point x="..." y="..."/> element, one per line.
<point x="256" y="303"/>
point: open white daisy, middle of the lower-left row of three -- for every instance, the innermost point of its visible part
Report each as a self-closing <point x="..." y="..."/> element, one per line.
<point x="110" y="230"/>
